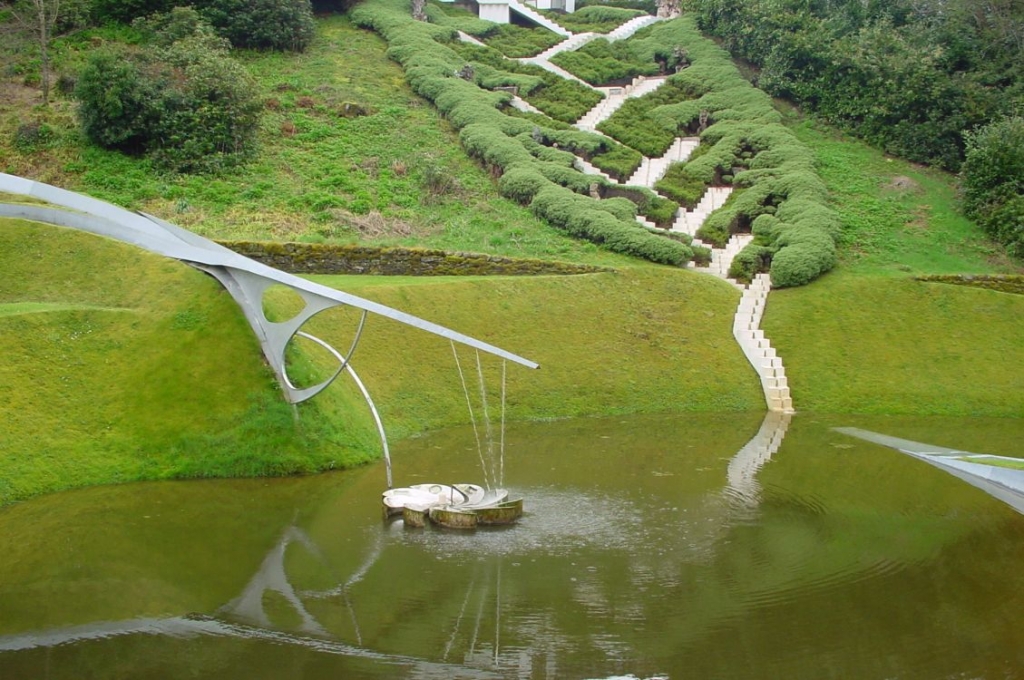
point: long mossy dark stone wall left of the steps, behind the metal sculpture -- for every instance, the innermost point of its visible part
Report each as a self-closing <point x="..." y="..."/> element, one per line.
<point x="332" y="260"/>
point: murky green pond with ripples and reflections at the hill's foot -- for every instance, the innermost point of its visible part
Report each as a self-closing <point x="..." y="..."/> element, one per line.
<point x="653" y="547"/>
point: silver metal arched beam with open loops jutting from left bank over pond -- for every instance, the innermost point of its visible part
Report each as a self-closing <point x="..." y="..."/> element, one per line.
<point x="245" y="280"/>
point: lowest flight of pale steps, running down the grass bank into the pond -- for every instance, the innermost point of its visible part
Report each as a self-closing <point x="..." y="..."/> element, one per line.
<point x="757" y="349"/>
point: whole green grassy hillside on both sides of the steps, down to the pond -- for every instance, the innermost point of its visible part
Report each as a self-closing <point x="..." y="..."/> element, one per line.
<point x="121" y="366"/>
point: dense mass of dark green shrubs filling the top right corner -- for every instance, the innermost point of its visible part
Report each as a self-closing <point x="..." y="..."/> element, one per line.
<point x="908" y="77"/>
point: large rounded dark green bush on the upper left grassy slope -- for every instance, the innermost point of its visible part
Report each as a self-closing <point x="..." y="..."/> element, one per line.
<point x="187" y="106"/>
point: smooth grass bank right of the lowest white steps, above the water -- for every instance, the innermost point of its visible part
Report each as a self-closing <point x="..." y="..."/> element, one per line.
<point x="894" y="346"/>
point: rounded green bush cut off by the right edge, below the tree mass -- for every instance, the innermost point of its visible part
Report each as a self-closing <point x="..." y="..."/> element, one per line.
<point x="993" y="180"/>
